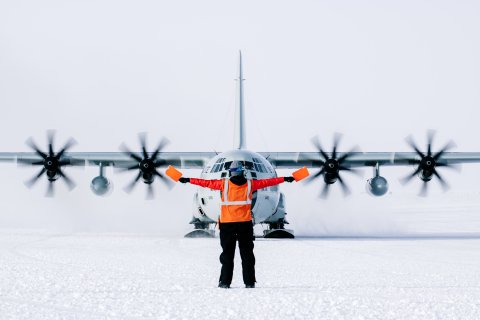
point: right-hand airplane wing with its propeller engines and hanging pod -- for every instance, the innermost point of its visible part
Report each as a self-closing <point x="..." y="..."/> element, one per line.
<point x="330" y="165"/>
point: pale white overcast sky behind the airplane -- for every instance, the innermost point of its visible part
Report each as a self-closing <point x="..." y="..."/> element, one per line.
<point x="102" y="71"/>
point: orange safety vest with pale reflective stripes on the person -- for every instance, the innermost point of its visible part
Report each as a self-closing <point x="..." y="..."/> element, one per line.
<point x="236" y="202"/>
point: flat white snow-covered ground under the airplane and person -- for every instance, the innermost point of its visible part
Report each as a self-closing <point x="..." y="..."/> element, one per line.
<point x="114" y="276"/>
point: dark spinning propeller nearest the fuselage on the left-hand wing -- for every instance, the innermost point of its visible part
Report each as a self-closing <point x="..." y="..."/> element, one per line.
<point x="147" y="165"/>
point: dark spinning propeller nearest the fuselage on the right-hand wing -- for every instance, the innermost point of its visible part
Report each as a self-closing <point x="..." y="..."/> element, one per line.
<point x="331" y="166"/>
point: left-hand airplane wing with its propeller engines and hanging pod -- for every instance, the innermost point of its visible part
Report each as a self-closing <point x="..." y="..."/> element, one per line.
<point x="52" y="165"/>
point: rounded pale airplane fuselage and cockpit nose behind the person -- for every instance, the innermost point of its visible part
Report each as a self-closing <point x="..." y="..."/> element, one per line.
<point x="266" y="202"/>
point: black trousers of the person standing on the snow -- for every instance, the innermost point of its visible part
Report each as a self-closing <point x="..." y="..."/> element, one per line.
<point x="230" y="233"/>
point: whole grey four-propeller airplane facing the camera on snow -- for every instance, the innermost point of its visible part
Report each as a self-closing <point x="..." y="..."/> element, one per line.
<point x="268" y="205"/>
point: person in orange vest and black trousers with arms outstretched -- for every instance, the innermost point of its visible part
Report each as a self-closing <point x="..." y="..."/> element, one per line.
<point x="236" y="219"/>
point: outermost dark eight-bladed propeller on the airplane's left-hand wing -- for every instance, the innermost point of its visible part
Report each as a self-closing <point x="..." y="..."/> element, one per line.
<point x="51" y="162"/>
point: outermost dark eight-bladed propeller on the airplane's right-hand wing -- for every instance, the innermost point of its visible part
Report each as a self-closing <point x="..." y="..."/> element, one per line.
<point x="428" y="163"/>
